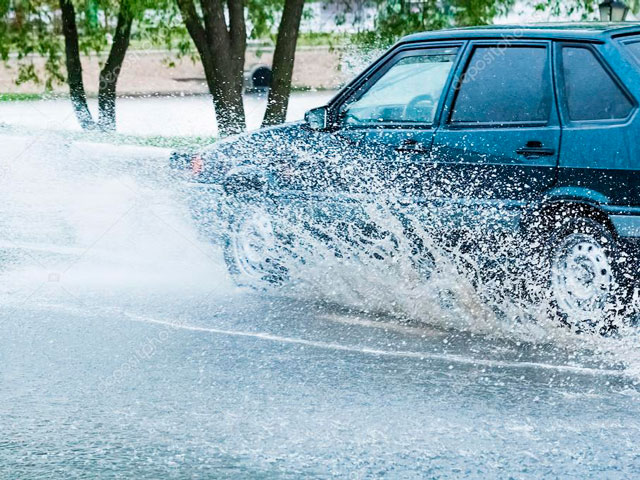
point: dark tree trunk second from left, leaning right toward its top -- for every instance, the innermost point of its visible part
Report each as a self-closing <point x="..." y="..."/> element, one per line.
<point x="112" y="68"/>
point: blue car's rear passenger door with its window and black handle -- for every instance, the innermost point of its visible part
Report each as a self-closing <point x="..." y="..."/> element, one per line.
<point x="500" y="135"/>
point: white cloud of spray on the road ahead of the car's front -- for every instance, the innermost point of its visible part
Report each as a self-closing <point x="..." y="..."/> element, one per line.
<point x="89" y="219"/>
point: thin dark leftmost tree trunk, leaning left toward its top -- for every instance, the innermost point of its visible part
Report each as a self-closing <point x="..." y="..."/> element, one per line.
<point x="74" y="66"/>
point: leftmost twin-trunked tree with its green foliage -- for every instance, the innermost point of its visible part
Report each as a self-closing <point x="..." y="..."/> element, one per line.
<point x="59" y="31"/>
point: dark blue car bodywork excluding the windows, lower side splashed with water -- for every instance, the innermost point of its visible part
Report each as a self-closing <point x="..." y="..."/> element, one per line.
<point x="331" y="171"/>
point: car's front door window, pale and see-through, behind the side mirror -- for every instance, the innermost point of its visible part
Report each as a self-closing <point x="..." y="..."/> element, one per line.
<point x="407" y="93"/>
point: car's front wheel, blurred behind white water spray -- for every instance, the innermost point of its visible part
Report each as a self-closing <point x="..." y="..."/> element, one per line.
<point x="252" y="251"/>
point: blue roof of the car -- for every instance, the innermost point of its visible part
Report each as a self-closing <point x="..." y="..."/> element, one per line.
<point x="585" y="31"/>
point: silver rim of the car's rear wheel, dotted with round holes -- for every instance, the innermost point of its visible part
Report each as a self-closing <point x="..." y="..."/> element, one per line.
<point x="581" y="278"/>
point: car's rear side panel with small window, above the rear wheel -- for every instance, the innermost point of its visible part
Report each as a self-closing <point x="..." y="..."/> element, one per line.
<point x="599" y="135"/>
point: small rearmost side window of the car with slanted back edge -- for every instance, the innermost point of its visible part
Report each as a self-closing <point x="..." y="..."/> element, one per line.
<point x="590" y="93"/>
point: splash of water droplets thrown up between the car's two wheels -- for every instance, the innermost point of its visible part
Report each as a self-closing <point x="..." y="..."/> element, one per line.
<point x="405" y="267"/>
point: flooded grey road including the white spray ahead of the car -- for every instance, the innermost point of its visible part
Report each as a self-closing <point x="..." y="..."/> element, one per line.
<point x="126" y="351"/>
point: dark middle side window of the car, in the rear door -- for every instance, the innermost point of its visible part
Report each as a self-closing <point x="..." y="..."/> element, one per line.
<point x="504" y="85"/>
